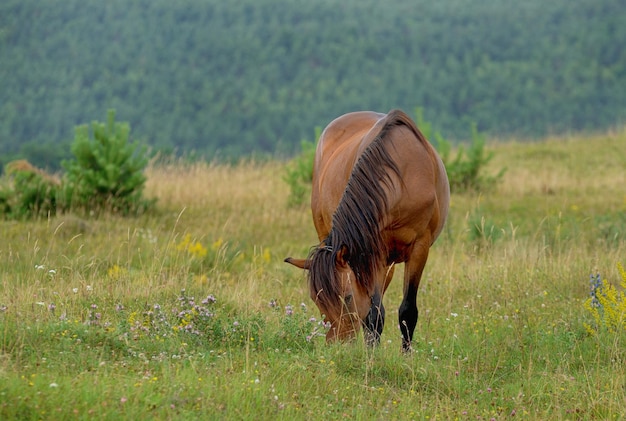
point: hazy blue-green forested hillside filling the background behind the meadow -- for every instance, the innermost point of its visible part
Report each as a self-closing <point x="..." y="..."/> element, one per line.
<point x="225" y="80"/>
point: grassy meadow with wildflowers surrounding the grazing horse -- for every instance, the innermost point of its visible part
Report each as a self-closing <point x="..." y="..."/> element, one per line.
<point x="190" y="312"/>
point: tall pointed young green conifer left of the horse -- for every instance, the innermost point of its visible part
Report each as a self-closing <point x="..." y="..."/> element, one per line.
<point x="107" y="170"/>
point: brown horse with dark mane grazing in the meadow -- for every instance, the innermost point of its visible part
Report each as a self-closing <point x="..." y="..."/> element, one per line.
<point x="380" y="196"/>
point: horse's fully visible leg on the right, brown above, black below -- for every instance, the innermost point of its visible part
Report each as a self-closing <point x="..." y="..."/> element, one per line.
<point x="408" y="313"/>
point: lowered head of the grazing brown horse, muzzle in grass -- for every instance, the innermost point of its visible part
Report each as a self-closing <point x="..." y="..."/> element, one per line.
<point x="334" y="288"/>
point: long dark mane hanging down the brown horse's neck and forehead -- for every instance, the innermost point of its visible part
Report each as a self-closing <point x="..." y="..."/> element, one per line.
<point x="356" y="221"/>
